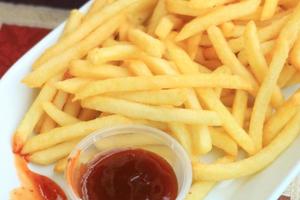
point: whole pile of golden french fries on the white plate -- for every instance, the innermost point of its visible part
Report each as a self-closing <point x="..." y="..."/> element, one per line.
<point x="209" y="73"/>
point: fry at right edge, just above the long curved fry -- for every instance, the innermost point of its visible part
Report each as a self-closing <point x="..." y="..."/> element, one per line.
<point x="280" y="118"/>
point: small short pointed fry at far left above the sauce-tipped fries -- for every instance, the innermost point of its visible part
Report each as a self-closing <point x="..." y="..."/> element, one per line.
<point x="57" y="115"/>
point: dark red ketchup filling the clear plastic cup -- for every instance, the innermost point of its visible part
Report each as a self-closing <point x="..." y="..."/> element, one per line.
<point x="132" y="174"/>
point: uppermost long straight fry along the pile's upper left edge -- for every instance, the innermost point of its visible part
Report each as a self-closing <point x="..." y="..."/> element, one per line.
<point x="87" y="27"/>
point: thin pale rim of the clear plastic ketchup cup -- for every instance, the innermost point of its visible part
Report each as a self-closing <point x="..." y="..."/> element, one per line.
<point x="117" y="130"/>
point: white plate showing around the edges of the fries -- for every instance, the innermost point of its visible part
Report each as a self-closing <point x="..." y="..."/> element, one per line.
<point x="15" y="99"/>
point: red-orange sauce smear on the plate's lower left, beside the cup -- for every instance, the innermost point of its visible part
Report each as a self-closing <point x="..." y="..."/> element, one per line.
<point x="35" y="186"/>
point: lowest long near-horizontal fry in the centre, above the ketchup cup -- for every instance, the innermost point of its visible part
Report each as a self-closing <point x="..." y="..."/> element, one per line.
<point x="155" y="113"/>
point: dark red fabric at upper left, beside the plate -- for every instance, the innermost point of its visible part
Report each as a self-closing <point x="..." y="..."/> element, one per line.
<point x="15" y="41"/>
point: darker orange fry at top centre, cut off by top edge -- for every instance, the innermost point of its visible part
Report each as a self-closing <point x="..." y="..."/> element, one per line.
<point x="158" y="13"/>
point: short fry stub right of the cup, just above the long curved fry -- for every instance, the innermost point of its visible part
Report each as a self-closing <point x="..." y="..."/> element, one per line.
<point x="221" y="140"/>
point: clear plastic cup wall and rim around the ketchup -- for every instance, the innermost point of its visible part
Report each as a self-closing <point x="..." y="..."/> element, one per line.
<point x="129" y="137"/>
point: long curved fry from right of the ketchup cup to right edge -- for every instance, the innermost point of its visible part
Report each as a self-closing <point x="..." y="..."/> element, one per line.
<point x="253" y="164"/>
